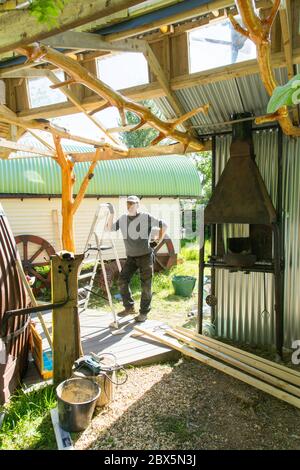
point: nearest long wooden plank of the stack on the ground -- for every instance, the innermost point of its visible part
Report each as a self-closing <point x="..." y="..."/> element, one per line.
<point x="281" y="395"/>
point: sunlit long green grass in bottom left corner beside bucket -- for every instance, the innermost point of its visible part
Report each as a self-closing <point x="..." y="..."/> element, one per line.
<point x="27" y="422"/>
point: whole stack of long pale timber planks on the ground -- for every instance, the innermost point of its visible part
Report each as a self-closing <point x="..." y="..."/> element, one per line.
<point x="270" y="377"/>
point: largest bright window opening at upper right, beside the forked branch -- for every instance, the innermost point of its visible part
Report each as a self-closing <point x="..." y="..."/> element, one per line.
<point x="218" y="44"/>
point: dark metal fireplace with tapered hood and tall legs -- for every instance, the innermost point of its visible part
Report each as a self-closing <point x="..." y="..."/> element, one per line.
<point x="241" y="197"/>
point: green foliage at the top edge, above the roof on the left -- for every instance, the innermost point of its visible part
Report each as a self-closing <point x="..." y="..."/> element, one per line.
<point x="47" y="11"/>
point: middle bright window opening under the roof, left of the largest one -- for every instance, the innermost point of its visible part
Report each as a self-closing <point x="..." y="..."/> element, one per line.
<point x="123" y="70"/>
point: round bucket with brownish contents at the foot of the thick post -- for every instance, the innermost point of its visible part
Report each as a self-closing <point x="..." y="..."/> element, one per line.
<point x="76" y="403"/>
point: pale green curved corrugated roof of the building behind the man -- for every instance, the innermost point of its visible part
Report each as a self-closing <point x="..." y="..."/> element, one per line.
<point x="152" y="176"/>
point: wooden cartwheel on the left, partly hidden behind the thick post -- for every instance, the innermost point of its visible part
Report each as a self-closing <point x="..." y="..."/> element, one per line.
<point x="29" y="264"/>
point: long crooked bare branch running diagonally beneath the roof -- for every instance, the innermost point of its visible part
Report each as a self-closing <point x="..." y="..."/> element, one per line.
<point x="114" y="98"/>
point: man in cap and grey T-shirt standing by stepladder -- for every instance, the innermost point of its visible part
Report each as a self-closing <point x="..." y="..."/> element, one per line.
<point x="136" y="228"/>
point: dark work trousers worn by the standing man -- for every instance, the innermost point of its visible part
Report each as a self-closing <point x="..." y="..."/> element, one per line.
<point x="145" y="266"/>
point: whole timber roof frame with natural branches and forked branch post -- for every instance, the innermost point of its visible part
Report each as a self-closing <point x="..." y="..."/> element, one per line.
<point x="169" y="72"/>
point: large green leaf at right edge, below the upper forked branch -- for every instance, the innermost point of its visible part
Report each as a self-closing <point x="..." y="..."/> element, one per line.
<point x="286" y="95"/>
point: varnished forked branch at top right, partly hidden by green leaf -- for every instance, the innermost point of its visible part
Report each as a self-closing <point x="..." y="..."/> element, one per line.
<point x="258" y="30"/>
